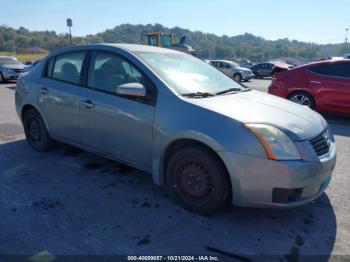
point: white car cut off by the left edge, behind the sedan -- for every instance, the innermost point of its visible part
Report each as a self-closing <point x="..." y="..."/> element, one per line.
<point x="10" y="68"/>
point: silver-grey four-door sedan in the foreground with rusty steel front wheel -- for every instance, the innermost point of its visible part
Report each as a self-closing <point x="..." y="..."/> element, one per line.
<point x="211" y="141"/>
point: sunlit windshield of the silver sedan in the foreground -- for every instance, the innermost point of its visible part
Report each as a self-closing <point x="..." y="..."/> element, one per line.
<point x="187" y="74"/>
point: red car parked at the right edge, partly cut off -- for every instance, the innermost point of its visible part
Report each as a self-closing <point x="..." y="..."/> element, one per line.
<point x="323" y="86"/>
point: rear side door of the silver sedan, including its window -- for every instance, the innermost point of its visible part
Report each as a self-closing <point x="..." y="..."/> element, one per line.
<point x="58" y="95"/>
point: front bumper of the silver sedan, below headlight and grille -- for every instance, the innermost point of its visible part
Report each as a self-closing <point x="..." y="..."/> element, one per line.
<point x="260" y="182"/>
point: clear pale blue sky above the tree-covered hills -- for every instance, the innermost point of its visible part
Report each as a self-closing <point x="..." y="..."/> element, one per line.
<point x="318" y="21"/>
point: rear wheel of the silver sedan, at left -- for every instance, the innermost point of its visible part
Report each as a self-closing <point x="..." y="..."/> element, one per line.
<point x="35" y="130"/>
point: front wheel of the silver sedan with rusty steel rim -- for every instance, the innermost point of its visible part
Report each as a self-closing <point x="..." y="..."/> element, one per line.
<point x="198" y="181"/>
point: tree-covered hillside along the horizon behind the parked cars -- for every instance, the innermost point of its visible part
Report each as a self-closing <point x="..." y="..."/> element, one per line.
<point x="208" y="45"/>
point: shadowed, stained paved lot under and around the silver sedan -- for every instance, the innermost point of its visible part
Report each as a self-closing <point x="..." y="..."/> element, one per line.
<point x="67" y="201"/>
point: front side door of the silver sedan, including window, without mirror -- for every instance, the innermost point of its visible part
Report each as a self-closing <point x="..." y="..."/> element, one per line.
<point x="111" y="124"/>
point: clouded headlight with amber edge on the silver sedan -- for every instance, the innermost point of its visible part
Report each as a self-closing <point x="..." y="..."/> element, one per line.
<point x="277" y="144"/>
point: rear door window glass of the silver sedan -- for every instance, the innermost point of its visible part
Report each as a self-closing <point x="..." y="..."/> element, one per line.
<point x="67" y="67"/>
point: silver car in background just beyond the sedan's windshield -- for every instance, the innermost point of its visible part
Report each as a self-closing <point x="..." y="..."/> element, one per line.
<point x="233" y="70"/>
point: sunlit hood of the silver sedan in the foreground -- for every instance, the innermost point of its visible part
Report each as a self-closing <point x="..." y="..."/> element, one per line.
<point x="299" y="122"/>
